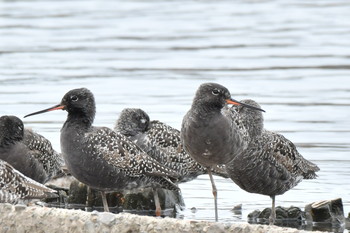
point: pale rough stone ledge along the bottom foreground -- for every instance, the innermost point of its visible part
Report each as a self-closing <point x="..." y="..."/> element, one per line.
<point x="20" y="218"/>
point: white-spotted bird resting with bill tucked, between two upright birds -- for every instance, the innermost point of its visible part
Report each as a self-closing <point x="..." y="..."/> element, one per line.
<point x="162" y="142"/>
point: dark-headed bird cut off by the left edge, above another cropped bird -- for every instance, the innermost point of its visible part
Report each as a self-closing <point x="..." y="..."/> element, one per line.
<point x="28" y="152"/>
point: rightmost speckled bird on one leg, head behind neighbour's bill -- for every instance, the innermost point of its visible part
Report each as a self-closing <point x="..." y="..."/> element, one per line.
<point x="271" y="164"/>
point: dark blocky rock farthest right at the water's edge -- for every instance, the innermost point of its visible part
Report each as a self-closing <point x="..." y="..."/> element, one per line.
<point x="327" y="211"/>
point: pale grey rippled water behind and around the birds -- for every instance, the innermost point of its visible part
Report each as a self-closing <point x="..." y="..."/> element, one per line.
<point x="290" y="56"/>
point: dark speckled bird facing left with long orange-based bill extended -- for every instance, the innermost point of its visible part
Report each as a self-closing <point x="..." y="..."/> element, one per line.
<point x="101" y="158"/>
